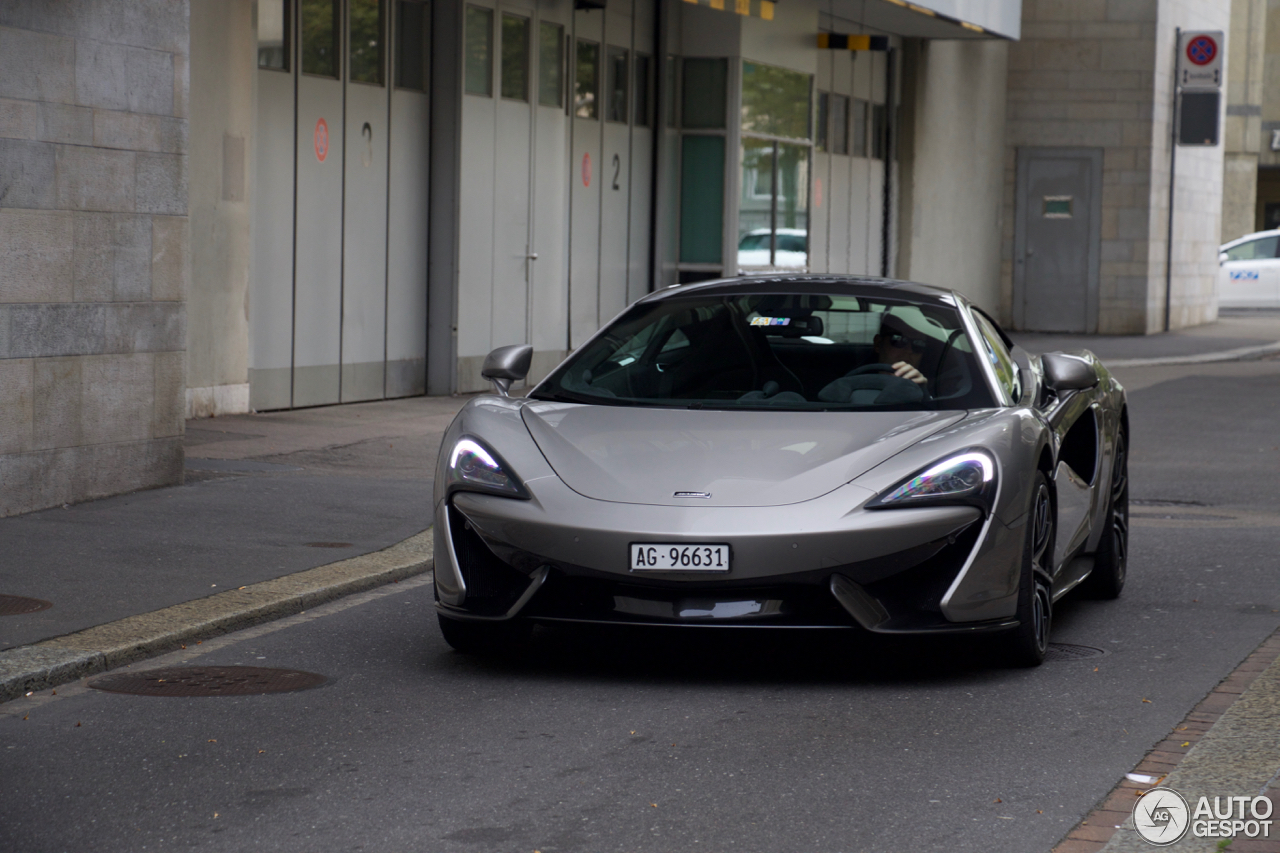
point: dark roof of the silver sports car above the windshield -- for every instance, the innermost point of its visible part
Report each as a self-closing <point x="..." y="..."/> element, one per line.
<point x="866" y="286"/>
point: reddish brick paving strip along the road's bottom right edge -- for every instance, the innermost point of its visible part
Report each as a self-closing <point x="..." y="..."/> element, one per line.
<point x="1098" y="828"/>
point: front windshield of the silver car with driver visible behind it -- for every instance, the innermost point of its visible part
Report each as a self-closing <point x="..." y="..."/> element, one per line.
<point x="799" y="353"/>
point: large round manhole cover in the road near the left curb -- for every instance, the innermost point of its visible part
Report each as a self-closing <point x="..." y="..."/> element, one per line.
<point x="209" y="681"/>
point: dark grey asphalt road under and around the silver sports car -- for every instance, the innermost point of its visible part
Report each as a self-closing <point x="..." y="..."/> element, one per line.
<point x="650" y="741"/>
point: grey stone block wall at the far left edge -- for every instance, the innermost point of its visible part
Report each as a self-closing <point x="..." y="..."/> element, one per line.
<point x="93" y="248"/>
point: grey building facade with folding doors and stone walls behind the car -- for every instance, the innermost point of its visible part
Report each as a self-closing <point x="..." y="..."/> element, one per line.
<point x="367" y="197"/>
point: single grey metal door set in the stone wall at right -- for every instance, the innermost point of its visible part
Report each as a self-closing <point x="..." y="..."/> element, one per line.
<point x="1057" y="240"/>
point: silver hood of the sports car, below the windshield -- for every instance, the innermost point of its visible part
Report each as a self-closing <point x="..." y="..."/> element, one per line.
<point x="740" y="458"/>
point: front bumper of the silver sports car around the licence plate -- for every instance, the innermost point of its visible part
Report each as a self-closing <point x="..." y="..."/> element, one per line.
<point x="824" y="563"/>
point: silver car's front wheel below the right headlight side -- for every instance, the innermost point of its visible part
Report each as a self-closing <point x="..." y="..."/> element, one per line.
<point x="1027" y="645"/>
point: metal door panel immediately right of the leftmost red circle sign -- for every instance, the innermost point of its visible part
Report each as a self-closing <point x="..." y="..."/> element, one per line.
<point x="364" y="221"/>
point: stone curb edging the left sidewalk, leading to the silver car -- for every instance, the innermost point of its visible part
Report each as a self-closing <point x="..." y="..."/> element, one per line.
<point x="95" y="650"/>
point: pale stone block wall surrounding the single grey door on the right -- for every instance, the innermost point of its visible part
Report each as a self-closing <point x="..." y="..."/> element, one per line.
<point x="1099" y="74"/>
